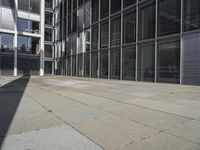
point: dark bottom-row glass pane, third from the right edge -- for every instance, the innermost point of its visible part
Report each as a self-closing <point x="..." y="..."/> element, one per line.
<point x="146" y="62"/>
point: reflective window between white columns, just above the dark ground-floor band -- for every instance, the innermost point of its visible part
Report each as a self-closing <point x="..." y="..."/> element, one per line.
<point x="28" y="45"/>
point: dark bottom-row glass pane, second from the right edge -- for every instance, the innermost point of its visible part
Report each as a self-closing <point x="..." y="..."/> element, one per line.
<point x="169" y="62"/>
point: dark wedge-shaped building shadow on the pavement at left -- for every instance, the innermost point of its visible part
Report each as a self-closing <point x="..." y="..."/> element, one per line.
<point x="10" y="97"/>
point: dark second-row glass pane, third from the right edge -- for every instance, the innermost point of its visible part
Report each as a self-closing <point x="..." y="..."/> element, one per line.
<point x="147" y="21"/>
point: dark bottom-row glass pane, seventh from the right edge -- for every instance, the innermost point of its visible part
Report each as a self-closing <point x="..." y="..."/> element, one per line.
<point x="94" y="63"/>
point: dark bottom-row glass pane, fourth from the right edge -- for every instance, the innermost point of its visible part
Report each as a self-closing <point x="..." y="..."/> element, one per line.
<point x="129" y="61"/>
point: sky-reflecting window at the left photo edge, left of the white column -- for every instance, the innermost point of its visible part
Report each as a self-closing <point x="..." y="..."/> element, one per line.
<point x="6" y="41"/>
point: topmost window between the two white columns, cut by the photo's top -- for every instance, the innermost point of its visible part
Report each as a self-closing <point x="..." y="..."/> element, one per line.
<point x="29" y="5"/>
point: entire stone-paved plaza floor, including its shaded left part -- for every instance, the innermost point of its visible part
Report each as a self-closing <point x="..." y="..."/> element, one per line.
<point x="62" y="113"/>
